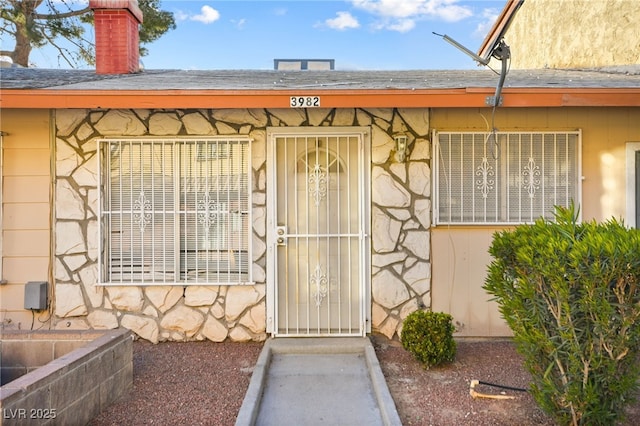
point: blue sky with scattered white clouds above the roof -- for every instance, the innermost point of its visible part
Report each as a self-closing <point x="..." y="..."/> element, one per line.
<point x="357" y="34"/>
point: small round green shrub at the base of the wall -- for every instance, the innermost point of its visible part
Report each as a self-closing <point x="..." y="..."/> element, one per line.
<point x="429" y="337"/>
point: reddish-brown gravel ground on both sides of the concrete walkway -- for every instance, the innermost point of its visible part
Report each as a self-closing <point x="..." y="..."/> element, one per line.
<point x="203" y="383"/>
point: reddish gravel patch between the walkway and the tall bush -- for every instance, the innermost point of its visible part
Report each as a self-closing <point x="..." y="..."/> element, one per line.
<point x="440" y="395"/>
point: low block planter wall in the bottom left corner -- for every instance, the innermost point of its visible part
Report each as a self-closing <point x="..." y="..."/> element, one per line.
<point x="72" y="388"/>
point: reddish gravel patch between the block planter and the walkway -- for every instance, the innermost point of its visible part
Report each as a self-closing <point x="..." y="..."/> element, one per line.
<point x="192" y="383"/>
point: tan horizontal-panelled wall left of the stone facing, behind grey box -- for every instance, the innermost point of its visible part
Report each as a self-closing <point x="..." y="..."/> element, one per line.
<point x="26" y="211"/>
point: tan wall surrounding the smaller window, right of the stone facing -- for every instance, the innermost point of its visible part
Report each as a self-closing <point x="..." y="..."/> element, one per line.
<point x="459" y="254"/>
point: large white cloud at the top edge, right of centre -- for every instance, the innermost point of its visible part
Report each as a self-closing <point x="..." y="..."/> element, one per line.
<point x="401" y="15"/>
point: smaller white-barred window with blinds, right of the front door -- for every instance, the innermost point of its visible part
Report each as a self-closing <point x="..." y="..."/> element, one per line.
<point x="504" y="177"/>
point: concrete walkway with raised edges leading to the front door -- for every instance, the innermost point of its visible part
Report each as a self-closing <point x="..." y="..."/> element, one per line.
<point x="318" y="381"/>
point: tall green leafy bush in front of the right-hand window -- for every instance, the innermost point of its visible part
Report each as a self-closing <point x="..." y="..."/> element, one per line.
<point x="570" y="293"/>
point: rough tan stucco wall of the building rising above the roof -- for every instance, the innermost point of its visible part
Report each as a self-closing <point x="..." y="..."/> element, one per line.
<point x="575" y="33"/>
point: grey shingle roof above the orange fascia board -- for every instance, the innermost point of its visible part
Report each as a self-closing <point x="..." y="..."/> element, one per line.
<point x="159" y="80"/>
